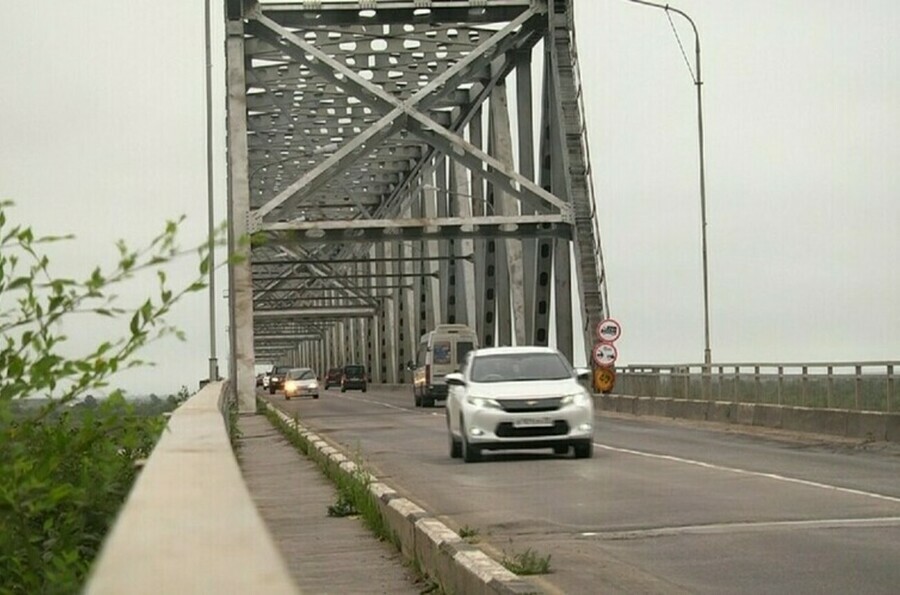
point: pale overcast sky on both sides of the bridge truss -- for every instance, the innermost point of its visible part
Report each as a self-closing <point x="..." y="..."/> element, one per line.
<point x="102" y="124"/>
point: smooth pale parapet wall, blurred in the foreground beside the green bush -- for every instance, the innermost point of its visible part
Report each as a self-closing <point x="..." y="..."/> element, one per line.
<point x="171" y="537"/>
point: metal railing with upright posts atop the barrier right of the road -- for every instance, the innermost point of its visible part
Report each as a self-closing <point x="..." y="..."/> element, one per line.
<point x="859" y="386"/>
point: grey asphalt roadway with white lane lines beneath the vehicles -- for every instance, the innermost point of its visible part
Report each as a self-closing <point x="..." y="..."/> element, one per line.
<point x="663" y="507"/>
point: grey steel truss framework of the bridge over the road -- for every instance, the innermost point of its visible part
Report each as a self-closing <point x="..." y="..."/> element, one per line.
<point x="389" y="185"/>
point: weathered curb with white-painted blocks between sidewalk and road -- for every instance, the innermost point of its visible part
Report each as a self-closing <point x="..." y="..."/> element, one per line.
<point x="456" y="565"/>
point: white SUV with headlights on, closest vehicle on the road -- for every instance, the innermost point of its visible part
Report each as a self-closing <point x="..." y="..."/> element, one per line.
<point x="515" y="398"/>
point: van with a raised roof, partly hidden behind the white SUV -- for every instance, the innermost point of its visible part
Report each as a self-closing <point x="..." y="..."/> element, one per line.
<point x="440" y="352"/>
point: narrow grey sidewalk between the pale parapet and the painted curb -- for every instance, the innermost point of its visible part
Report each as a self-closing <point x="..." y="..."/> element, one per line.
<point x="324" y="554"/>
